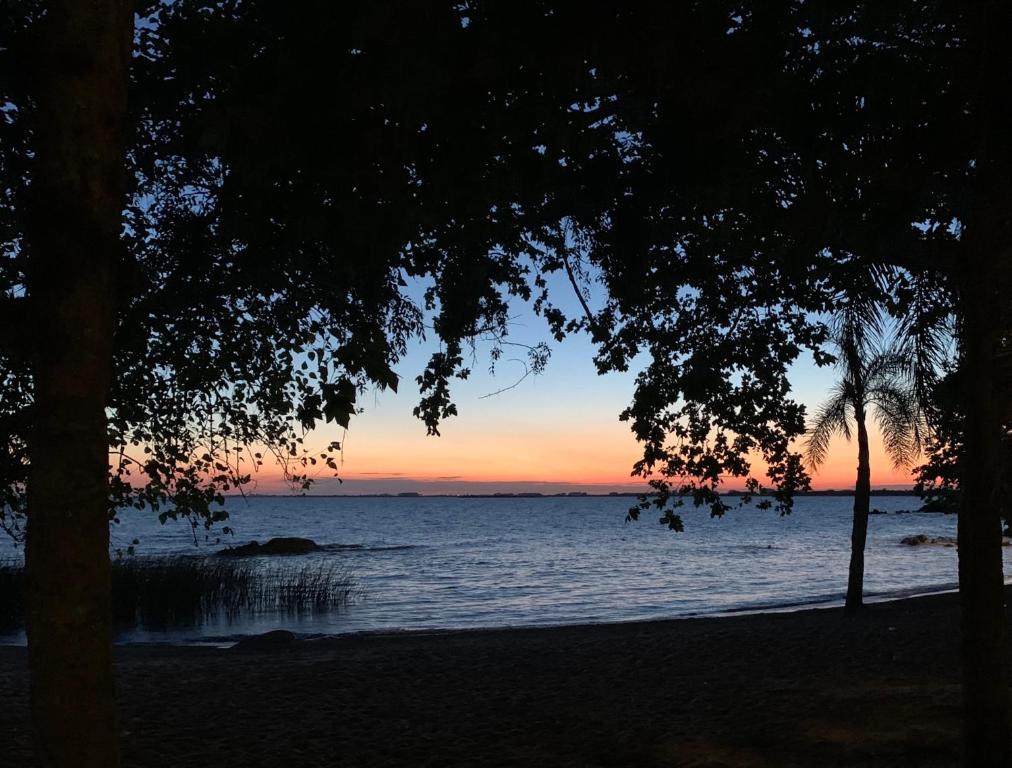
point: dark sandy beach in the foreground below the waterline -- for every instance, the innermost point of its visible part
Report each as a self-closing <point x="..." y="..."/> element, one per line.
<point x="811" y="689"/>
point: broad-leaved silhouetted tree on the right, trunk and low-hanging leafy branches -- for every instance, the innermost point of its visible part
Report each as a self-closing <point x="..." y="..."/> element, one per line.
<point x="871" y="139"/>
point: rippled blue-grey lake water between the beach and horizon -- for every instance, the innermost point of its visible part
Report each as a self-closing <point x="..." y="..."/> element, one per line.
<point x="453" y="563"/>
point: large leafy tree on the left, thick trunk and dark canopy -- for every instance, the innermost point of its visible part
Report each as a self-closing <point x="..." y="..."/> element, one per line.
<point x="230" y="265"/>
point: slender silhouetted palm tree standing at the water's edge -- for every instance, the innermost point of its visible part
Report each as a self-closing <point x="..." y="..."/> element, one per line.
<point x="874" y="381"/>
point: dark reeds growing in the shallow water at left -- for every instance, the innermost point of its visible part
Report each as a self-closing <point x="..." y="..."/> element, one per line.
<point x="182" y="590"/>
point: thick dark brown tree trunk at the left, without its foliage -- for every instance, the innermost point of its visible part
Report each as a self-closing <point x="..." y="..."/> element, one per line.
<point x="73" y="237"/>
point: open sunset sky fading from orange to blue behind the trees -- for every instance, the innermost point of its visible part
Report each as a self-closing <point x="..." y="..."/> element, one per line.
<point x="556" y="433"/>
